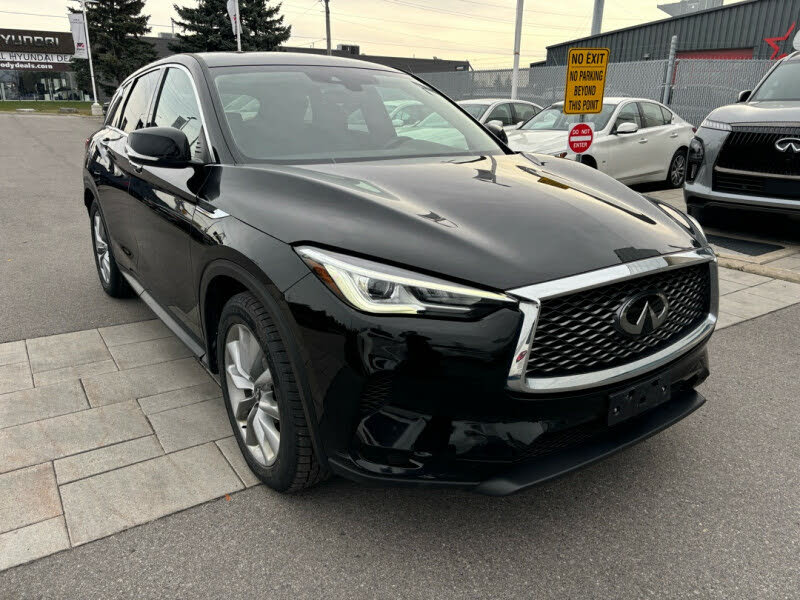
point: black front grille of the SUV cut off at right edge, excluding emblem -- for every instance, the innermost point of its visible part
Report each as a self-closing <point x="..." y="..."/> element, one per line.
<point x="752" y="148"/>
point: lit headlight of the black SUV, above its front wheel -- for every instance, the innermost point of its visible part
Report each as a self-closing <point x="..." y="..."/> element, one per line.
<point x="382" y="289"/>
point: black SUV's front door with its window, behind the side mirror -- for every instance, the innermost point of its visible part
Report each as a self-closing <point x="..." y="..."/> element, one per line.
<point x="164" y="203"/>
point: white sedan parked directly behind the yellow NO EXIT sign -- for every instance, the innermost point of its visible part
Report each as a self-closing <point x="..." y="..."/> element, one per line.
<point x="635" y="139"/>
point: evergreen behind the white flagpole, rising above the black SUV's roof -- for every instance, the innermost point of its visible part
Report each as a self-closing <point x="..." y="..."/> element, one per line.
<point x="207" y="28"/>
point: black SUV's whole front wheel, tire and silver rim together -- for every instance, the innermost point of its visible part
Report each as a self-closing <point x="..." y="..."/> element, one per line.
<point x="262" y="397"/>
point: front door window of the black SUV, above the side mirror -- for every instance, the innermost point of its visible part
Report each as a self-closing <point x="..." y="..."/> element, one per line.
<point x="177" y="106"/>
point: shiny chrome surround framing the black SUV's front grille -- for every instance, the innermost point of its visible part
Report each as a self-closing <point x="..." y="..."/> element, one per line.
<point x="530" y="303"/>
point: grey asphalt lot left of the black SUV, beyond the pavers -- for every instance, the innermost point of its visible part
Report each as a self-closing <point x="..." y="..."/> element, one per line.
<point x="48" y="282"/>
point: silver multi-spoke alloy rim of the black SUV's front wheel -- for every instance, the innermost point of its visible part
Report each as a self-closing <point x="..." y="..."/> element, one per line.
<point x="252" y="394"/>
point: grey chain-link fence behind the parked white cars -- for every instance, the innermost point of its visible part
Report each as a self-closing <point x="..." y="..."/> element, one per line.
<point x="698" y="85"/>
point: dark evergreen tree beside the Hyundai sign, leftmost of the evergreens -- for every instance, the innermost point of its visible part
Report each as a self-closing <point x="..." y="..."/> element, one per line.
<point x="115" y="30"/>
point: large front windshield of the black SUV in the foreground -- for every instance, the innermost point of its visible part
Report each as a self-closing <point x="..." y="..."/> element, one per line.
<point x="313" y="114"/>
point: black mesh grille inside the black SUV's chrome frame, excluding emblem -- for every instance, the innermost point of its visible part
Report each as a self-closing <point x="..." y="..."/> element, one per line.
<point x="576" y="333"/>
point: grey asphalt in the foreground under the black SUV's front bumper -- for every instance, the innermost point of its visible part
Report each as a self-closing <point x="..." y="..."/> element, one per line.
<point x="708" y="509"/>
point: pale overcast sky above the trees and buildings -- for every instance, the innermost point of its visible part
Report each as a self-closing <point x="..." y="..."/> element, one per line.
<point x="479" y="31"/>
